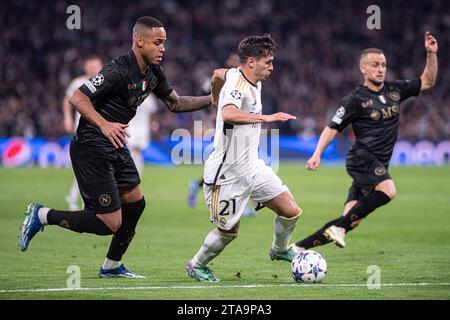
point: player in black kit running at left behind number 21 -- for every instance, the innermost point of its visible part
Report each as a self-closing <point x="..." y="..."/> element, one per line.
<point x="105" y="171"/>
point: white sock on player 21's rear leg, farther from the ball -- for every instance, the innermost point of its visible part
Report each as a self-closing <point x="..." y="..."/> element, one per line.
<point x="212" y="246"/>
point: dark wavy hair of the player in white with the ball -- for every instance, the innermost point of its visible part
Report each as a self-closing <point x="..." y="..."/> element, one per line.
<point x="256" y="47"/>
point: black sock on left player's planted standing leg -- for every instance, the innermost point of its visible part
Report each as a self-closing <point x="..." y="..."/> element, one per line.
<point x="131" y="212"/>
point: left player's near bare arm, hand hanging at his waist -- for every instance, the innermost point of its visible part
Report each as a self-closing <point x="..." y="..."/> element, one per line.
<point x="114" y="131"/>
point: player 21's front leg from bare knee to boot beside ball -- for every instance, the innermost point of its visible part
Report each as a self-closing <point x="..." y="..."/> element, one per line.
<point x="288" y="212"/>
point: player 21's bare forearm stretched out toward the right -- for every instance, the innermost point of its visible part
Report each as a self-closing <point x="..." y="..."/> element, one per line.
<point x="231" y="114"/>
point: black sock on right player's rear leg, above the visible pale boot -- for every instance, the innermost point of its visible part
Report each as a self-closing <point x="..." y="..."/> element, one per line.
<point x="362" y="208"/>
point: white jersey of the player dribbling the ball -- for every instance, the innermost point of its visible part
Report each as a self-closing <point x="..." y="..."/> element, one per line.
<point x="235" y="152"/>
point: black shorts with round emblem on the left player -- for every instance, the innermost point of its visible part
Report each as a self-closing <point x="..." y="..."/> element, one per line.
<point x="101" y="174"/>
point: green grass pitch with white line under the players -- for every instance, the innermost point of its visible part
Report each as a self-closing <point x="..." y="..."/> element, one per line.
<point x="408" y="239"/>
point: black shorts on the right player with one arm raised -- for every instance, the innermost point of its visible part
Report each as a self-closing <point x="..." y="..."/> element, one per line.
<point x="367" y="172"/>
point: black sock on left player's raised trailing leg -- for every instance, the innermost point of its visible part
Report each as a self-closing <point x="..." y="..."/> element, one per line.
<point x="78" y="221"/>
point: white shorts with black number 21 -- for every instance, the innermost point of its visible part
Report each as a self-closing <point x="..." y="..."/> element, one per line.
<point x="226" y="203"/>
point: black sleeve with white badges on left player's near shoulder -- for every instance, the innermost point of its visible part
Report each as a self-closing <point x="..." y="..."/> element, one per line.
<point x="100" y="84"/>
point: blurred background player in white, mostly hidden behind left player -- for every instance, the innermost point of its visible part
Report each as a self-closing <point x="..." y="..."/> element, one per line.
<point x="92" y="66"/>
